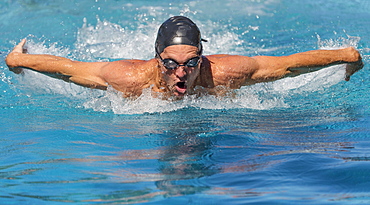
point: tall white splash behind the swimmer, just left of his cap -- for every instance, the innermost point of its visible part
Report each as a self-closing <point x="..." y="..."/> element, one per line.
<point x="112" y="41"/>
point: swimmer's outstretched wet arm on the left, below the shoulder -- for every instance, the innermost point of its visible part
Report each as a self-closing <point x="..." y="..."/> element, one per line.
<point x="82" y="73"/>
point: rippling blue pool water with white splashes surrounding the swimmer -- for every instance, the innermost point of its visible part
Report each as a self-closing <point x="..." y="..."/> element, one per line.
<point x="302" y="140"/>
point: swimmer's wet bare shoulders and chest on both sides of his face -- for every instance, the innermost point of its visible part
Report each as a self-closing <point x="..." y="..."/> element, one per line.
<point x="132" y="76"/>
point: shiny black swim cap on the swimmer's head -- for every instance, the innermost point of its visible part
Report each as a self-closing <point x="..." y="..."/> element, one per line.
<point x="178" y="30"/>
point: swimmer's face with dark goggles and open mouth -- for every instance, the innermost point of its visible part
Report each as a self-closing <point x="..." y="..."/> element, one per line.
<point x="180" y="79"/>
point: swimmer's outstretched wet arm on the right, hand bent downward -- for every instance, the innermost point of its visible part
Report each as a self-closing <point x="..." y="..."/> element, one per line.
<point x="272" y="68"/>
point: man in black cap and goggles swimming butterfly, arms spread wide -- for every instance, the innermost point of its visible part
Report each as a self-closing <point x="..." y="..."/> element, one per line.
<point x="179" y="66"/>
